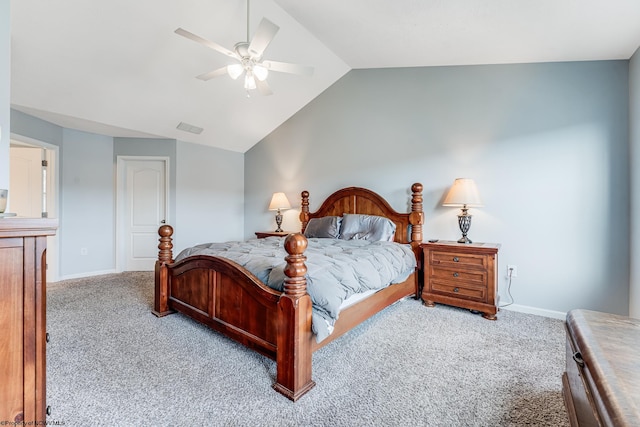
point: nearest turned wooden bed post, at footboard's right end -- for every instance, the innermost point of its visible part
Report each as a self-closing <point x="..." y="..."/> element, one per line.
<point x="293" y="355"/>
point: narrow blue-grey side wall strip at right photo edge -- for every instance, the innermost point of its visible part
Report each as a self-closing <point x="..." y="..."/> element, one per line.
<point x="634" y="126"/>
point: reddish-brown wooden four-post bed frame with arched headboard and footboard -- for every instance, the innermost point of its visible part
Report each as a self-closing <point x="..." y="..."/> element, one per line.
<point x="231" y="300"/>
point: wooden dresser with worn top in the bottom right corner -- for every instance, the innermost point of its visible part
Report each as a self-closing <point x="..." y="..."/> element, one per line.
<point x="601" y="385"/>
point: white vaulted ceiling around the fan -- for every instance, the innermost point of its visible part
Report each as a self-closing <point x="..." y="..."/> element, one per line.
<point x="117" y="68"/>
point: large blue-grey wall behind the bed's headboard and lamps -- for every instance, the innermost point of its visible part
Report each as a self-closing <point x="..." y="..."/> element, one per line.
<point x="547" y="145"/>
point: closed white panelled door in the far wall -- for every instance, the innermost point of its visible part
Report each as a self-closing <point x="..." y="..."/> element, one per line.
<point x="144" y="208"/>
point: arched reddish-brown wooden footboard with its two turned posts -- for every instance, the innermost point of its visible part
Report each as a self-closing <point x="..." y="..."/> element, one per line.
<point x="231" y="300"/>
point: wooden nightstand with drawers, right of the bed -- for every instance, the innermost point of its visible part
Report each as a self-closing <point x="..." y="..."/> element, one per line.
<point x="462" y="275"/>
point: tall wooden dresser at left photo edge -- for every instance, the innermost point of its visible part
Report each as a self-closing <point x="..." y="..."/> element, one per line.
<point x="23" y="245"/>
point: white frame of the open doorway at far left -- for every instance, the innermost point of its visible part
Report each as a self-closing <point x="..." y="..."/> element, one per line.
<point x="53" y="202"/>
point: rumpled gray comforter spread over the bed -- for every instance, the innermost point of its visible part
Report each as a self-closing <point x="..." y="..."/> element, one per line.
<point x="336" y="269"/>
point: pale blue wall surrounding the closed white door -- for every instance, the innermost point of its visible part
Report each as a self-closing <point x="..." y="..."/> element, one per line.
<point x="208" y="181"/>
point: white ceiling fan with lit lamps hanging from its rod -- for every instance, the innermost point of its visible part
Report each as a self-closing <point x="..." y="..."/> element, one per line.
<point x="249" y="55"/>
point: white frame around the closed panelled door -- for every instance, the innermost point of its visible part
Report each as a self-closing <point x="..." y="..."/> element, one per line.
<point x="121" y="197"/>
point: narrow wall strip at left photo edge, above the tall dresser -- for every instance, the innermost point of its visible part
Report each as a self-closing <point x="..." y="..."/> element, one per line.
<point x="5" y="91"/>
